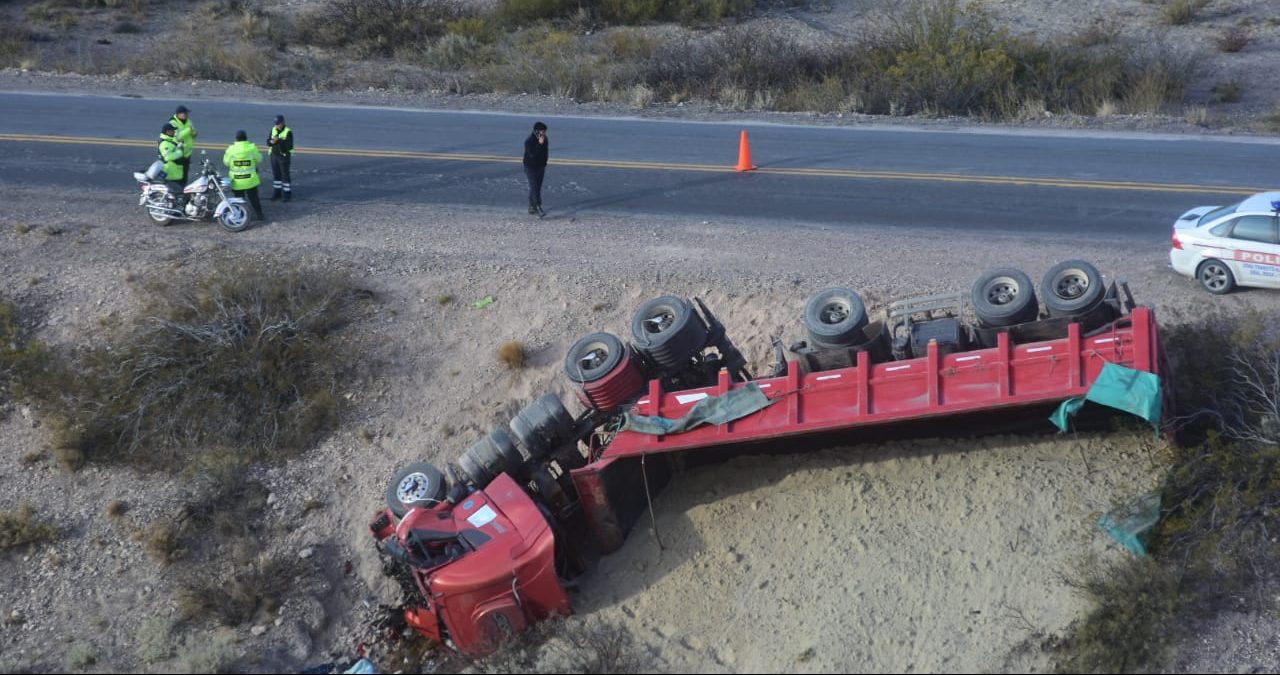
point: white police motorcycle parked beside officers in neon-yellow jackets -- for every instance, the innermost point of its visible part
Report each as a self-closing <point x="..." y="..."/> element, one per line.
<point x="208" y="197"/>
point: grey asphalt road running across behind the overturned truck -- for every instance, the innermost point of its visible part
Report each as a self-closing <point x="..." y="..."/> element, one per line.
<point x="1049" y="185"/>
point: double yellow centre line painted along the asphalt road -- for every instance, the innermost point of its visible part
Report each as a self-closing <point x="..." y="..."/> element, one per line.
<point x="706" y="168"/>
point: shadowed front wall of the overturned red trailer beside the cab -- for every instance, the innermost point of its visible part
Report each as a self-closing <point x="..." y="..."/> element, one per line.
<point x="614" y="496"/>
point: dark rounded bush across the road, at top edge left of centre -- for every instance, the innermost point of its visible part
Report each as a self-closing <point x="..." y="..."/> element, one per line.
<point x="378" y="28"/>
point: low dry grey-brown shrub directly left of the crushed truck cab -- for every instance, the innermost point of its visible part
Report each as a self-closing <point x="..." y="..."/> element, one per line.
<point x="252" y="594"/>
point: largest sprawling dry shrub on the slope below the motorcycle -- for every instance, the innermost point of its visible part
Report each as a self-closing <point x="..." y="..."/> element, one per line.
<point x="234" y="367"/>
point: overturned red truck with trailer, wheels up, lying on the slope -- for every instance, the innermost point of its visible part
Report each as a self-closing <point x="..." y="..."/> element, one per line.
<point x="487" y="553"/>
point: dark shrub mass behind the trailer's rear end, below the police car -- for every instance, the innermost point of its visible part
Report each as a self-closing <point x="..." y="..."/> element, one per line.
<point x="1220" y="501"/>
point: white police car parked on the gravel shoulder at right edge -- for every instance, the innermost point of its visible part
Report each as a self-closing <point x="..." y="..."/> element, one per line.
<point x="1229" y="247"/>
